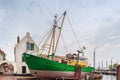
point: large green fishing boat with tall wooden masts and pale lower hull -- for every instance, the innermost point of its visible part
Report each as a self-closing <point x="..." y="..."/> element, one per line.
<point x="41" y="67"/>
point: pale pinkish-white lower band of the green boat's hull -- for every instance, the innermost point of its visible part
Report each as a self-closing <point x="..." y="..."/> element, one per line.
<point x="54" y="74"/>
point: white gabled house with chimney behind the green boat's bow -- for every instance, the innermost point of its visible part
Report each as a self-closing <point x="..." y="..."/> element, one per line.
<point x="24" y="45"/>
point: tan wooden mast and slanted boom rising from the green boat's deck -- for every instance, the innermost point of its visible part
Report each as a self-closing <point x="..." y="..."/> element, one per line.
<point x="52" y="45"/>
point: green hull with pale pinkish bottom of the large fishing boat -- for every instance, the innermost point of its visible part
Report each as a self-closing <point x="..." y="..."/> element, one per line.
<point x="39" y="65"/>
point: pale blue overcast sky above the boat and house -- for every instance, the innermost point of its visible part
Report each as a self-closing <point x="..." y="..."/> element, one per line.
<point x="95" y="22"/>
